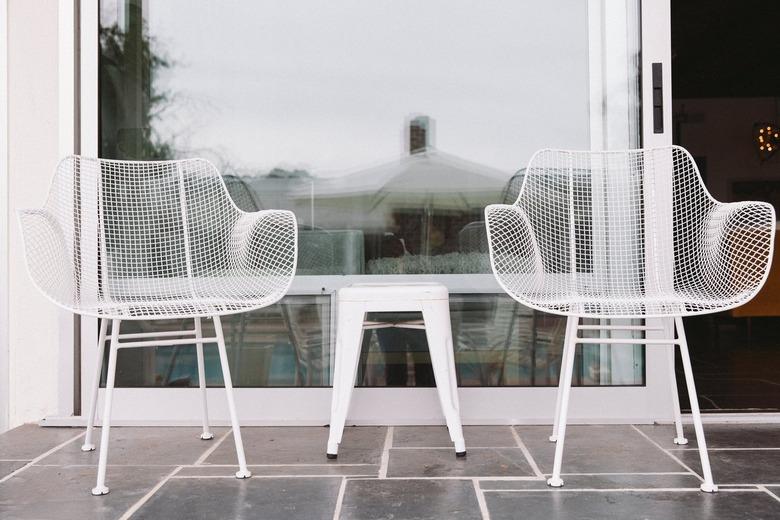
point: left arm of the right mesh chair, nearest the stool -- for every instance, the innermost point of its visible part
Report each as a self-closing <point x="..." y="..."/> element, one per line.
<point x="514" y="251"/>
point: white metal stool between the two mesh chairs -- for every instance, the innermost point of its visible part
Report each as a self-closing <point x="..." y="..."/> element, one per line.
<point x="353" y="302"/>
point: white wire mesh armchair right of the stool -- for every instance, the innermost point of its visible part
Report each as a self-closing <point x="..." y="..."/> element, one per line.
<point x="629" y="234"/>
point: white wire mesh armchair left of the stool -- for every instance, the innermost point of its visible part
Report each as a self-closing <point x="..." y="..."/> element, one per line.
<point x="132" y="240"/>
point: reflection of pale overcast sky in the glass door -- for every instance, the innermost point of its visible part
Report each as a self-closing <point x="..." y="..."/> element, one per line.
<point x="327" y="85"/>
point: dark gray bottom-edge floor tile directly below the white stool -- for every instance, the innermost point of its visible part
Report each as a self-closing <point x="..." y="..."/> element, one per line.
<point x="409" y="500"/>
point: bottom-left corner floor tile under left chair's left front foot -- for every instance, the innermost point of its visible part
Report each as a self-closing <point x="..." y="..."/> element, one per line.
<point x="64" y="492"/>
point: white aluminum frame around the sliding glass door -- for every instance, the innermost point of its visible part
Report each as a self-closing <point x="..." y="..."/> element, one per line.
<point x="499" y="405"/>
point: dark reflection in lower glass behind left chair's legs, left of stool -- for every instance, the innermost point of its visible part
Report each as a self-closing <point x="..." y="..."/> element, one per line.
<point x="287" y="344"/>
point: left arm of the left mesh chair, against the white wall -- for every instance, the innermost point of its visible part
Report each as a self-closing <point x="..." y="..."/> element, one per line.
<point x="47" y="255"/>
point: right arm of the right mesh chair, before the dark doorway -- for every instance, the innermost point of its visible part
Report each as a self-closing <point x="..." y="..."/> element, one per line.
<point x="738" y="243"/>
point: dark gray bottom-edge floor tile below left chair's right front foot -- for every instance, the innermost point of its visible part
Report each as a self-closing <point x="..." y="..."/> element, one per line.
<point x="266" y="499"/>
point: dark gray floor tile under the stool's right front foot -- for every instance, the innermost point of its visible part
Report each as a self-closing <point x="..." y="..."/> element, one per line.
<point x="480" y="462"/>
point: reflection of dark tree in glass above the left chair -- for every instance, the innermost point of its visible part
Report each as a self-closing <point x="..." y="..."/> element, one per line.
<point x="129" y="101"/>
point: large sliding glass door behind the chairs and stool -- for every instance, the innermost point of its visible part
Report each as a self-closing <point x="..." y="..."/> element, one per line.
<point x="386" y="127"/>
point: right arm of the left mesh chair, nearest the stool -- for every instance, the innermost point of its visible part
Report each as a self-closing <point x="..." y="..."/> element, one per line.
<point x="265" y="243"/>
